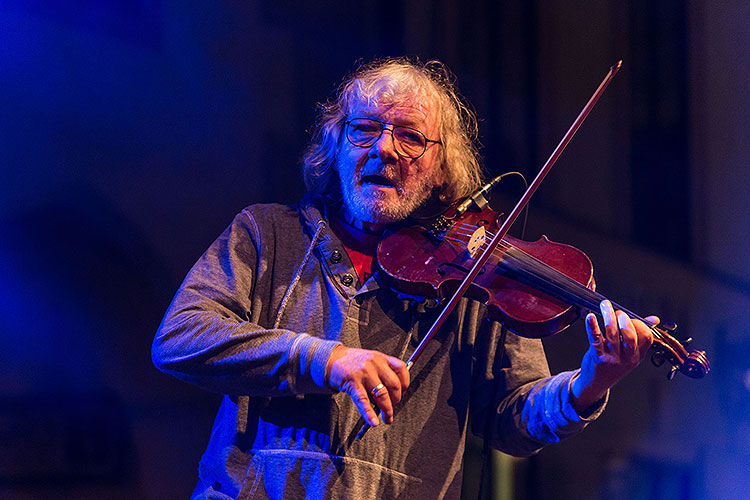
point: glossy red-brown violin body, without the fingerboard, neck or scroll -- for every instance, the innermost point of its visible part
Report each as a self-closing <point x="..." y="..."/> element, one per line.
<point x="422" y="263"/>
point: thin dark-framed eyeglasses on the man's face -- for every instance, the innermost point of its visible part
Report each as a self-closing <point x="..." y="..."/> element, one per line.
<point x="408" y="142"/>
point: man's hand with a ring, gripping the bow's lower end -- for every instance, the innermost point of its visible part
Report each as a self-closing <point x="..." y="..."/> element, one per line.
<point x="358" y="371"/>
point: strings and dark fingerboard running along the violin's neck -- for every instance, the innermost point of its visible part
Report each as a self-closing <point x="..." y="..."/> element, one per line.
<point x="551" y="277"/>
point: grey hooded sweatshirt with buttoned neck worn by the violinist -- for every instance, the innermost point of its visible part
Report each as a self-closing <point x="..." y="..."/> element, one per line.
<point x="256" y="319"/>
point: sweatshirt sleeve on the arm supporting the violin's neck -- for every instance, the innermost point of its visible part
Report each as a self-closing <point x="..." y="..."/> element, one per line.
<point x="530" y="408"/>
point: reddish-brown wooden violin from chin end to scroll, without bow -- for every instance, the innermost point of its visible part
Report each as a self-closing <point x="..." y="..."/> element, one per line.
<point x="536" y="289"/>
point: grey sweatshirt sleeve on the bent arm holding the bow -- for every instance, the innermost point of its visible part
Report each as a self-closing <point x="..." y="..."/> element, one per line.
<point x="207" y="337"/>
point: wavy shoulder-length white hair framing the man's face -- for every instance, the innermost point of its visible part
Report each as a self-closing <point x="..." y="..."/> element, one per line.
<point x="385" y="81"/>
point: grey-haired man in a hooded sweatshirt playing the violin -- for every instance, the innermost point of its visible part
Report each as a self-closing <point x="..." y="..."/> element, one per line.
<point x="287" y="315"/>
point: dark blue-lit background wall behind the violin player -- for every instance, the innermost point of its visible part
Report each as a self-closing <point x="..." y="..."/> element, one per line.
<point x="131" y="133"/>
